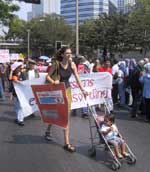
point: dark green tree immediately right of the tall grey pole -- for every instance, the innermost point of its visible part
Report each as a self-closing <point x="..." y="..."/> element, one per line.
<point x="108" y="32"/>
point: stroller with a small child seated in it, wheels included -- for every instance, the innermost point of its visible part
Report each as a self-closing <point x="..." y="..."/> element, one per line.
<point x="111" y="137"/>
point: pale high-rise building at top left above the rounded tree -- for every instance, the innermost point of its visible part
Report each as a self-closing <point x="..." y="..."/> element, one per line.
<point x="46" y="7"/>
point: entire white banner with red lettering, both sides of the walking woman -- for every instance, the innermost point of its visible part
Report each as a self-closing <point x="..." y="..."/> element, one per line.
<point x="97" y="84"/>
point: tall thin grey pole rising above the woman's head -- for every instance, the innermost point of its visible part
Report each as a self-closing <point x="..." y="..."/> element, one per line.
<point x="77" y="28"/>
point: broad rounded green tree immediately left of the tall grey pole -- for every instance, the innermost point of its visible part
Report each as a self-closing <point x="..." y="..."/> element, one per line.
<point x="44" y="32"/>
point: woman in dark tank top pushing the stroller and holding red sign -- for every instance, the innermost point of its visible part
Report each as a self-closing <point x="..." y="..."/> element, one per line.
<point x="66" y="68"/>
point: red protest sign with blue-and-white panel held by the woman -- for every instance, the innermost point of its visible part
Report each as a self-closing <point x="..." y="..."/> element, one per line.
<point x="52" y="103"/>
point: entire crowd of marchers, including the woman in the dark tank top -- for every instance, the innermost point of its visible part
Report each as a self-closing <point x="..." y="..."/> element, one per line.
<point x="130" y="87"/>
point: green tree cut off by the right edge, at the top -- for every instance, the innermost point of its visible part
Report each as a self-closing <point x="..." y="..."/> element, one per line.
<point x="140" y="23"/>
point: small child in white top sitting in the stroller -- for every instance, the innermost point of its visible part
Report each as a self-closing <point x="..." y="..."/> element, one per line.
<point x="111" y="135"/>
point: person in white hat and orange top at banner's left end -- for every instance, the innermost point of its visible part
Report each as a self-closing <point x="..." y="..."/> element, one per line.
<point x="15" y="76"/>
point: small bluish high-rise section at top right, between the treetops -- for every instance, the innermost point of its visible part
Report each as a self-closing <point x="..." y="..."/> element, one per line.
<point x="124" y="6"/>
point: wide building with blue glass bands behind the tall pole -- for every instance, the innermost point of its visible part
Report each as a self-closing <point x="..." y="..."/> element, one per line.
<point x="88" y="9"/>
